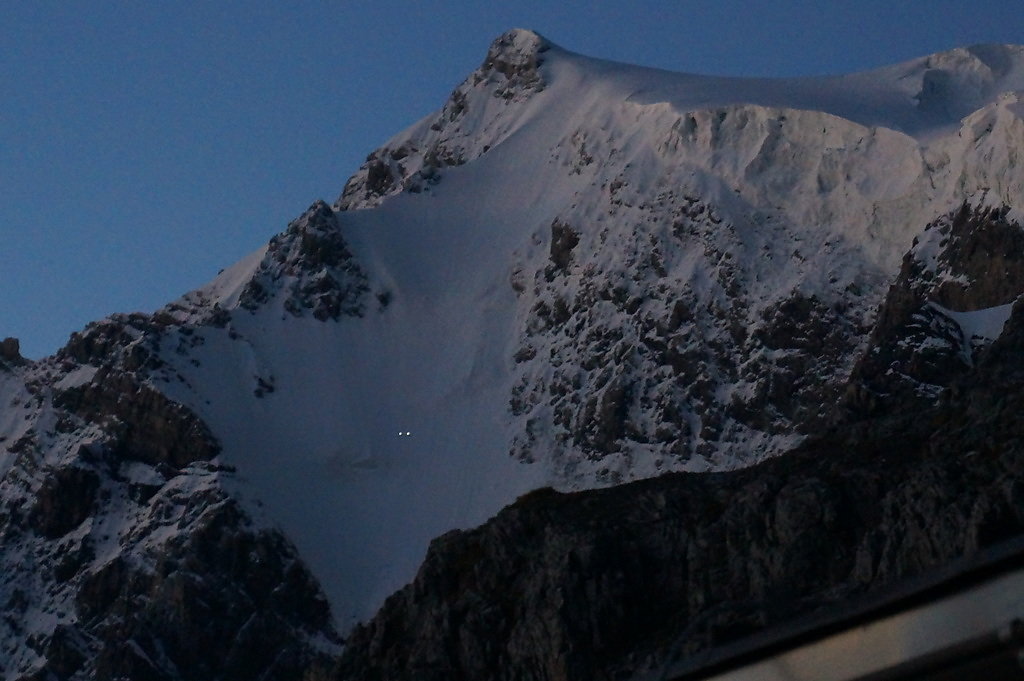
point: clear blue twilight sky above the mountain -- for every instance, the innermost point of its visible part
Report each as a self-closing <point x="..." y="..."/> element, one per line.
<point x="145" y="146"/>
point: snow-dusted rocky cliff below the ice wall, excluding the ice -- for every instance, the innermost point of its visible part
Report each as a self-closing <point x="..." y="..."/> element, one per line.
<point x="659" y="348"/>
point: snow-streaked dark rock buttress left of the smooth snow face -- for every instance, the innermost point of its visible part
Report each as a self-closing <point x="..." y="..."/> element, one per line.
<point x="122" y="556"/>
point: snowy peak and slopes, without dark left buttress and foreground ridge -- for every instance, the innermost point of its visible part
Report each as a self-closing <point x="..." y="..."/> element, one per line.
<point x="604" y="271"/>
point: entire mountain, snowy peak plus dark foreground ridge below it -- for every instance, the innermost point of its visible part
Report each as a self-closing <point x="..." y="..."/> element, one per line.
<point x="577" y="274"/>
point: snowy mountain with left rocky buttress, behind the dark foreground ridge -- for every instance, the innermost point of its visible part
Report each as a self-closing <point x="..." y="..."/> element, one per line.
<point x="576" y="274"/>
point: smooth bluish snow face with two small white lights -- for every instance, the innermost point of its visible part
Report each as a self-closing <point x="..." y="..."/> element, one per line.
<point x="316" y="413"/>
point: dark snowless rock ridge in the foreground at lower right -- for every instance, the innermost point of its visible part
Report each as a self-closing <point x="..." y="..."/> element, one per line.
<point x="602" y="584"/>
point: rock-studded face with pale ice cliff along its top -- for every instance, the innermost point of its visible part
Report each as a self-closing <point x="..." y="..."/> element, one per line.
<point x="704" y="300"/>
